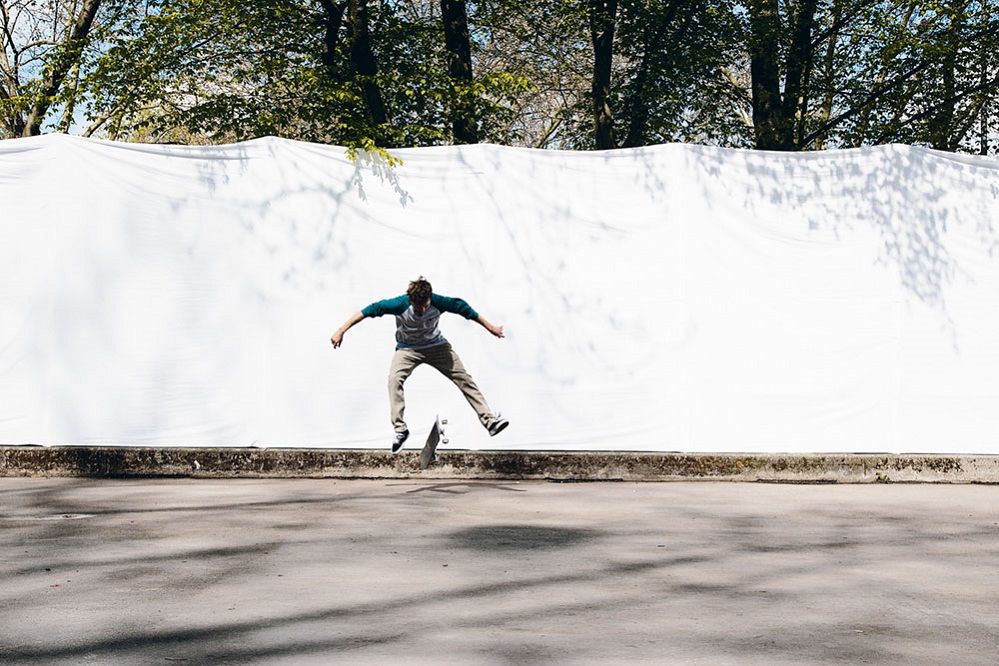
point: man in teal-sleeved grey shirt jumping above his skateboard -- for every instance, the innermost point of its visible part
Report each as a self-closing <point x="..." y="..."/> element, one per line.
<point x="419" y="340"/>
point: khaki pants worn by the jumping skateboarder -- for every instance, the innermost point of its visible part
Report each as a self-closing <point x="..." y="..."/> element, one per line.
<point x="446" y="361"/>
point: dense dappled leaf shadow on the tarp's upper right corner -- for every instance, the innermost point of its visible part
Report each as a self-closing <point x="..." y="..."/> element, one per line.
<point x="922" y="204"/>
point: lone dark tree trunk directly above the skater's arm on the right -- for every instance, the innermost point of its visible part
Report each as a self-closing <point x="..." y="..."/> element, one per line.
<point x="459" y="64"/>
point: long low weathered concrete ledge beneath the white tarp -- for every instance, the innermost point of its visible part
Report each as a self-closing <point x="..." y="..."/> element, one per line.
<point x="557" y="466"/>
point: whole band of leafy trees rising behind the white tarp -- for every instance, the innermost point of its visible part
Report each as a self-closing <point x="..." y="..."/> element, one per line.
<point x="841" y="72"/>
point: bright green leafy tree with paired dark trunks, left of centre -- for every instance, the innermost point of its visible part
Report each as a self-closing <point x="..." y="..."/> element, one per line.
<point x="230" y="71"/>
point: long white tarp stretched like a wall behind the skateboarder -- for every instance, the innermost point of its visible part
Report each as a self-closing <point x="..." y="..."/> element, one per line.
<point x="673" y="298"/>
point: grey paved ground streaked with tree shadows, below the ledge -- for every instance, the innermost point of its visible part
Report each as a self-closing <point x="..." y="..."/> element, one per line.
<point x="323" y="571"/>
